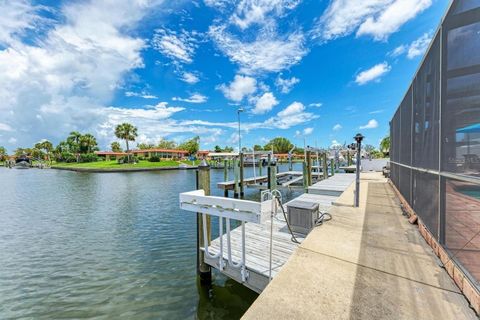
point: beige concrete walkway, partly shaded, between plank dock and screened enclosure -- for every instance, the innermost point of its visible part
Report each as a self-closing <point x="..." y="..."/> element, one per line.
<point x="366" y="263"/>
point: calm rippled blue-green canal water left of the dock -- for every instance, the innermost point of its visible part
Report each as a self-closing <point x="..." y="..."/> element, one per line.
<point x="111" y="245"/>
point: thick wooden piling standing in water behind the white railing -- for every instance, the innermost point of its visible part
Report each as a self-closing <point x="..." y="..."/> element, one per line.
<point x="204" y="271"/>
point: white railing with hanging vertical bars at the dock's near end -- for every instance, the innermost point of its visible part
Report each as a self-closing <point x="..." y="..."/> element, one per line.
<point x="226" y="208"/>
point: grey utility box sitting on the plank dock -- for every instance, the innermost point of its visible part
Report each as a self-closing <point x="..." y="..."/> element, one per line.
<point x="302" y="216"/>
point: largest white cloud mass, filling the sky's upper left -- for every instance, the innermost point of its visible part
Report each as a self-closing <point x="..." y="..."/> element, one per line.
<point x="56" y="85"/>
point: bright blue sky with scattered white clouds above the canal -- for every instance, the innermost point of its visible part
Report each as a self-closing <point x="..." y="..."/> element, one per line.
<point x="323" y="70"/>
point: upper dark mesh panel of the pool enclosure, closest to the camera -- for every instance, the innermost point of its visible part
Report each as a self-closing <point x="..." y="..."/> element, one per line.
<point x="461" y="102"/>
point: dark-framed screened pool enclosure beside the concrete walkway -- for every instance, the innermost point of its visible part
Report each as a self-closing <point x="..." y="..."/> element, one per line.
<point x="435" y="138"/>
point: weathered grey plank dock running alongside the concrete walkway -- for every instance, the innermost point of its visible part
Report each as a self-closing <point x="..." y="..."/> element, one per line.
<point x="257" y="238"/>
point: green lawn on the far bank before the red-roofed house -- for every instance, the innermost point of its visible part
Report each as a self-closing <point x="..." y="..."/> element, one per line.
<point x="114" y="165"/>
